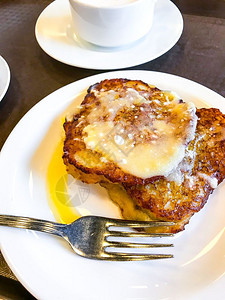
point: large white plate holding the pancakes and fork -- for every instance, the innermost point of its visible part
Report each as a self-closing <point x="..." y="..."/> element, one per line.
<point x="49" y="269"/>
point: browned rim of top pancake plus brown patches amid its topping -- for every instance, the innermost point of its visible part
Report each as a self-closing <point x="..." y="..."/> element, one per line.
<point x="89" y="161"/>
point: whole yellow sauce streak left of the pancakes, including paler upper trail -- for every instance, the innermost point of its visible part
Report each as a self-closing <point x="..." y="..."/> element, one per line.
<point x="56" y="177"/>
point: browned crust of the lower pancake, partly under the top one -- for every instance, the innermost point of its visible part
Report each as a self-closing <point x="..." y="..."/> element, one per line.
<point x="167" y="200"/>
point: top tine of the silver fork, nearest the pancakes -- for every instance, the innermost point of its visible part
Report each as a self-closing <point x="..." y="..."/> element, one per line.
<point x="137" y="224"/>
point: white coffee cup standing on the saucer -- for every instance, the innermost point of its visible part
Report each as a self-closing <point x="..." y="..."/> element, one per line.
<point x="112" y="23"/>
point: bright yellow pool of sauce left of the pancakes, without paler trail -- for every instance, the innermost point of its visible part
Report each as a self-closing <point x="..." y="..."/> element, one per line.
<point x="59" y="200"/>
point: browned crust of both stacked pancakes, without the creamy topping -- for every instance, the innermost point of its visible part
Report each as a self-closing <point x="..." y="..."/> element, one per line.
<point x="156" y="197"/>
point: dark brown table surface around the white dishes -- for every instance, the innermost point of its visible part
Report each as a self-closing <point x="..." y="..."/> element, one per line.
<point x="199" y="55"/>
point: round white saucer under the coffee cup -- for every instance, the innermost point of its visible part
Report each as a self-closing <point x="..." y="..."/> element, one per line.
<point x="55" y="36"/>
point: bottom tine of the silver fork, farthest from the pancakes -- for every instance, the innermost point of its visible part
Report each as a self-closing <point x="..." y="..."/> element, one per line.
<point x="134" y="257"/>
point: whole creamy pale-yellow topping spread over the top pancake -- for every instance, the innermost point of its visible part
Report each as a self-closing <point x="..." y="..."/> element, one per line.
<point x="154" y="149"/>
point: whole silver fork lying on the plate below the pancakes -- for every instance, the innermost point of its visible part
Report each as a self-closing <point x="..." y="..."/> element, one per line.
<point x="88" y="236"/>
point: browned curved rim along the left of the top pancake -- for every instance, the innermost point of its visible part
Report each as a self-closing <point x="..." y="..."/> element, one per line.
<point x="108" y="170"/>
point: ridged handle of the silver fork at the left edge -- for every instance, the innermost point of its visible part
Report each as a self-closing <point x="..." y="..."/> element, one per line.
<point x="33" y="224"/>
